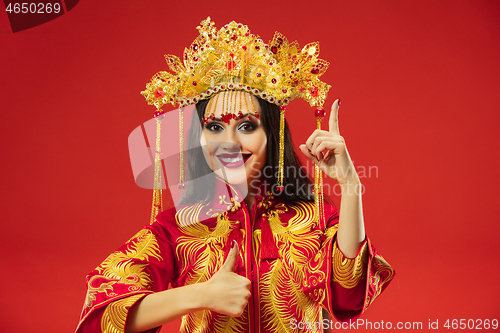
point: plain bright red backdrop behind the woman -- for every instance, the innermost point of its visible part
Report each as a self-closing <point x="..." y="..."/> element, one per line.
<point x="419" y="84"/>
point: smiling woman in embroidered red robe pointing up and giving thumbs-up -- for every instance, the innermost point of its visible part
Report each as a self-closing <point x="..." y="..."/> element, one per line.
<point x="247" y="251"/>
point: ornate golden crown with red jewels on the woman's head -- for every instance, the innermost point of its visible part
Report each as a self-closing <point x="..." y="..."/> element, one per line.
<point x="232" y="58"/>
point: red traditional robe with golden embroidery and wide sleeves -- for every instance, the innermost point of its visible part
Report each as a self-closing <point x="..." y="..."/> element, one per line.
<point x="300" y="271"/>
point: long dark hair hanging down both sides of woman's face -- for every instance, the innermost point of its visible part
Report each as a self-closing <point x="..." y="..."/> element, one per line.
<point x="297" y="184"/>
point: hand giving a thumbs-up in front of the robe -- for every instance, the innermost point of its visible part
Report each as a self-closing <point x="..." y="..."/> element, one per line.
<point x="228" y="292"/>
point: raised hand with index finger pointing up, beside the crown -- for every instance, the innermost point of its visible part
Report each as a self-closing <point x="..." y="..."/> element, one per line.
<point x="327" y="149"/>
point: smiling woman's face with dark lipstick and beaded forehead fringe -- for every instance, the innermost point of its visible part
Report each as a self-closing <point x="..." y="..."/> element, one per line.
<point x="236" y="151"/>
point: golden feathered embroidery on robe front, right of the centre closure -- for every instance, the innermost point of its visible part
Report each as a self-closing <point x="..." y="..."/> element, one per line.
<point x="280" y="288"/>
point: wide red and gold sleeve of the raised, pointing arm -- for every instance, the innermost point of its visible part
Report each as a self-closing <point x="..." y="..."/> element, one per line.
<point x="345" y="287"/>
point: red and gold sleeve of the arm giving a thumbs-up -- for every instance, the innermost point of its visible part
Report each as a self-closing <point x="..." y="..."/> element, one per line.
<point x="141" y="266"/>
